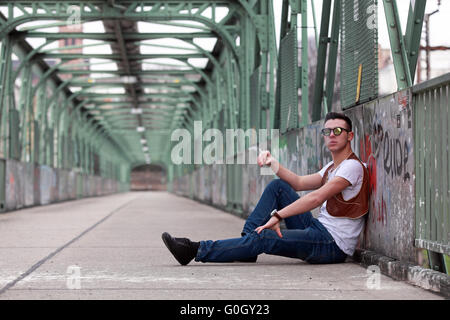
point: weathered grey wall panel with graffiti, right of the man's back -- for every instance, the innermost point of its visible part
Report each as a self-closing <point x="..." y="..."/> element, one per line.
<point x="390" y="158"/>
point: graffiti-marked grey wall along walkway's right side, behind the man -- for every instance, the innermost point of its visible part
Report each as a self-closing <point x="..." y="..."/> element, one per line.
<point x="383" y="140"/>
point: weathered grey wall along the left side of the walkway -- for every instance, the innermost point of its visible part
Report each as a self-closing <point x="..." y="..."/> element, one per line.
<point x="29" y="184"/>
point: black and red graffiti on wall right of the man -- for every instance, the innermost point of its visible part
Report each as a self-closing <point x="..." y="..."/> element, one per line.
<point x="386" y="148"/>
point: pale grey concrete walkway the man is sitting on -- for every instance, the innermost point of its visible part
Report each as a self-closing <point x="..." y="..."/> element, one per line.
<point x="110" y="248"/>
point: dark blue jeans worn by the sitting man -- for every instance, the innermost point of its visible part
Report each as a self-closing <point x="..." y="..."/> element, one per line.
<point x="305" y="237"/>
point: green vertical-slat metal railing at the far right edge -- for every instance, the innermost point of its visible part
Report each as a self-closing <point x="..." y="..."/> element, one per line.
<point x="431" y="101"/>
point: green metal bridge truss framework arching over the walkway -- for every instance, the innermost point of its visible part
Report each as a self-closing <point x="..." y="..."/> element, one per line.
<point x="66" y="103"/>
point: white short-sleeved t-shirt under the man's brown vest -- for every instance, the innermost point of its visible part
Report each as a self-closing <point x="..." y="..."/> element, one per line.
<point x="345" y="231"/>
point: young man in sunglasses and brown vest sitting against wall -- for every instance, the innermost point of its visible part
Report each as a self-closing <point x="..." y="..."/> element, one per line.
<point x="340" y="188"/>
